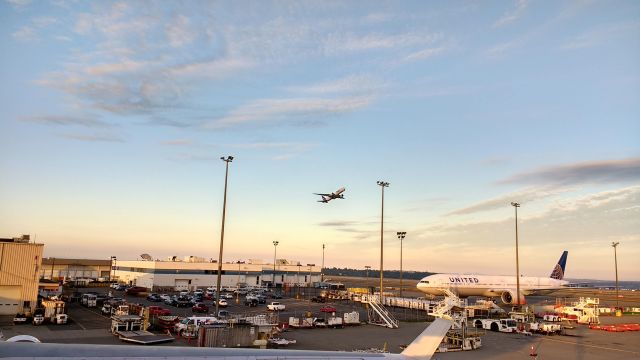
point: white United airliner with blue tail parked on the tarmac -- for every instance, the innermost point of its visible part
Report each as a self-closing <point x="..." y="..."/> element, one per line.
<point x="495" y="286"/>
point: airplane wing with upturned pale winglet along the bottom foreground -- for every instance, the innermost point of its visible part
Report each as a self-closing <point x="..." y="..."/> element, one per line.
<point x="422" y="348"/>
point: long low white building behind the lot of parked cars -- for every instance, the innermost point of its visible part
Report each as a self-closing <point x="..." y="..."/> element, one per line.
<point x="196" y="273"/>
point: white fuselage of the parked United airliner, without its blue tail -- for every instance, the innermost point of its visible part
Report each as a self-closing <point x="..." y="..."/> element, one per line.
<point x="485" y="285"/>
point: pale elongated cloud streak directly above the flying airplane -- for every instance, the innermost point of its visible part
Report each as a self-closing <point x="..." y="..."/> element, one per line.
<point x="295" y="110"/>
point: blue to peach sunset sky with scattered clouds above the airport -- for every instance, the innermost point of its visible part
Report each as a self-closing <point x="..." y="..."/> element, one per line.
<point x="115" y="116"/>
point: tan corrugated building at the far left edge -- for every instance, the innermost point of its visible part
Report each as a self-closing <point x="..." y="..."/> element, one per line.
<point x="20" y="263"/>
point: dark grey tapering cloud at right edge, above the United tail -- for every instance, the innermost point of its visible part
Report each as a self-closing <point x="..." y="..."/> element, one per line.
<point x="591" y="172"/>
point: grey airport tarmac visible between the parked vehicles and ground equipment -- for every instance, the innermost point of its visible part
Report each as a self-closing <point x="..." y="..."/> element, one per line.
<point x="90" y="327"/>
